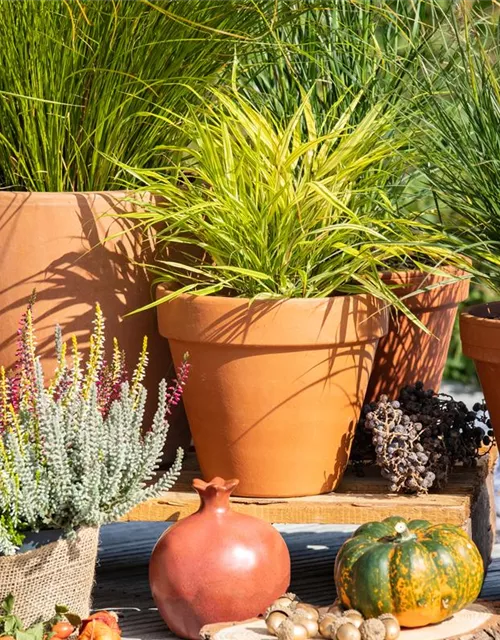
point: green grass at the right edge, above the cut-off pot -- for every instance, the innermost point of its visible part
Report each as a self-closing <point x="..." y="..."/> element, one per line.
<point x="459" y="142"/>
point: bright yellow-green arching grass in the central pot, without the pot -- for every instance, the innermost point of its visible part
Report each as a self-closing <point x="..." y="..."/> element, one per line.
<point x="260" y="207"/>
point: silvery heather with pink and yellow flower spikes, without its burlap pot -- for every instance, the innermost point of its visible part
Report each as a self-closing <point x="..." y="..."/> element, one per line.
<point x="73" y="452"/>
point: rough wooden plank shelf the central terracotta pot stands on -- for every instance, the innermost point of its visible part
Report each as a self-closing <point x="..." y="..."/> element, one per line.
<point x="357" y="500"/>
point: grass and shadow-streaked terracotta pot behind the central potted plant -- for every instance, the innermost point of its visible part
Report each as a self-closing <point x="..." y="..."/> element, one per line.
<point x="374" y="51"/>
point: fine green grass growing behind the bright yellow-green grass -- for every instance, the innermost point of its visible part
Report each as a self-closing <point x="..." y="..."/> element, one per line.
<point x="365" y="48"/>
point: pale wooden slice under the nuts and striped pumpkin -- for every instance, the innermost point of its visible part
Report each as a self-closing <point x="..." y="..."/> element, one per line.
<point x="477" y="622"/>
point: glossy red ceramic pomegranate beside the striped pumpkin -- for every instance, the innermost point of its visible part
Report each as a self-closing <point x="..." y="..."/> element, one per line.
<point x="217" y="565"/>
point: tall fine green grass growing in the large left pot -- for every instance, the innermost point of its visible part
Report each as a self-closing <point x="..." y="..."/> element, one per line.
<point x="75" y="78"/>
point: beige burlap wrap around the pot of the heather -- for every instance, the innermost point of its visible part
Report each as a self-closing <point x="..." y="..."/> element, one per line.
<point x="61" y="572"/>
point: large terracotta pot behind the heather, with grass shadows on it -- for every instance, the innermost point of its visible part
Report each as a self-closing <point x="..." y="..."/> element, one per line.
<point x="52" y="242"/>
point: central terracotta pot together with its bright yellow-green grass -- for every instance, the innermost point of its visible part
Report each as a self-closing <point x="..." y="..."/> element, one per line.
<point x="271" y="239"/>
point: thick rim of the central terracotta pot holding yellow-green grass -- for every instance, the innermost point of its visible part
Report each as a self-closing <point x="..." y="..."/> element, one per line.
<point x="282" y="323"/>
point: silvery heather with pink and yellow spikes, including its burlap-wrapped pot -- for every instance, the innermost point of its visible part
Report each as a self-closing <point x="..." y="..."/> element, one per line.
<point x="73" y="456"/>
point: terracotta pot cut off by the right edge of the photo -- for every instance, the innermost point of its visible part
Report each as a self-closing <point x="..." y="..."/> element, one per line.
<point x="480" y="334"/>
